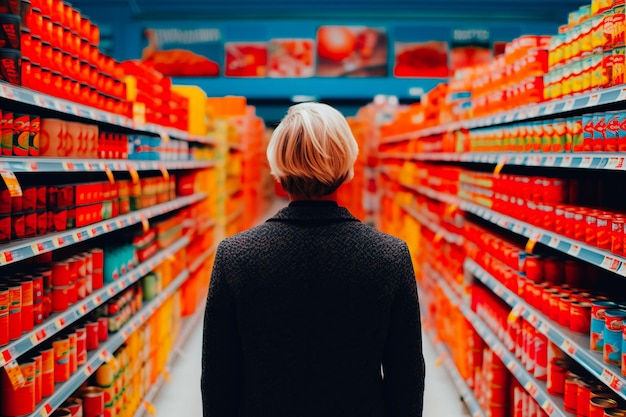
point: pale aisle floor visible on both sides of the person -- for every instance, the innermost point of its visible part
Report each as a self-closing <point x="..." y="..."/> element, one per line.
<point x="181" y="395"/>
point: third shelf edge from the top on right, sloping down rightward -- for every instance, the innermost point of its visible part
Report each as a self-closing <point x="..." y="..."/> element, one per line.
<point x="579" y="250"/>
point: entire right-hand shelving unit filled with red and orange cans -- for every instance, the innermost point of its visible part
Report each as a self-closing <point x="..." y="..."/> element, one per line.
<point x="503" y="182"/>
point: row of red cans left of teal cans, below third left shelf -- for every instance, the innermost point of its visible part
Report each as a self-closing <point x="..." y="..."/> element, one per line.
<point x="29" y="298"/>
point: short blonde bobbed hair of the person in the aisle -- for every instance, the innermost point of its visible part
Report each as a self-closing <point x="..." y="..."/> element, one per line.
<point x="312" y="151"/>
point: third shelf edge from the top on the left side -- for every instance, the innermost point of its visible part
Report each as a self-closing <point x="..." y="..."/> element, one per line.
<point x="28" y="248"/>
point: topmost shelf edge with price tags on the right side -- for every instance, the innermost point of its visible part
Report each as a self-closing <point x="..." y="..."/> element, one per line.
<point x="578" y="103"/>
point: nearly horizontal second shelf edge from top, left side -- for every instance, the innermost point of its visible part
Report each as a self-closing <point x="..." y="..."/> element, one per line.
<point x="94" y="165"/>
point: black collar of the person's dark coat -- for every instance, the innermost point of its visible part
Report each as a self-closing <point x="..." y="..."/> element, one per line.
<point x="313" y="212"/>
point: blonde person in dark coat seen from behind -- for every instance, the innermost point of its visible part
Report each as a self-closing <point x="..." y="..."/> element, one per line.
<point x="312" y="313"/>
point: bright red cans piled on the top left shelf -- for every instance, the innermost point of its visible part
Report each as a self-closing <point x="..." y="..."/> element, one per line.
<point x="61" y="56"/>
